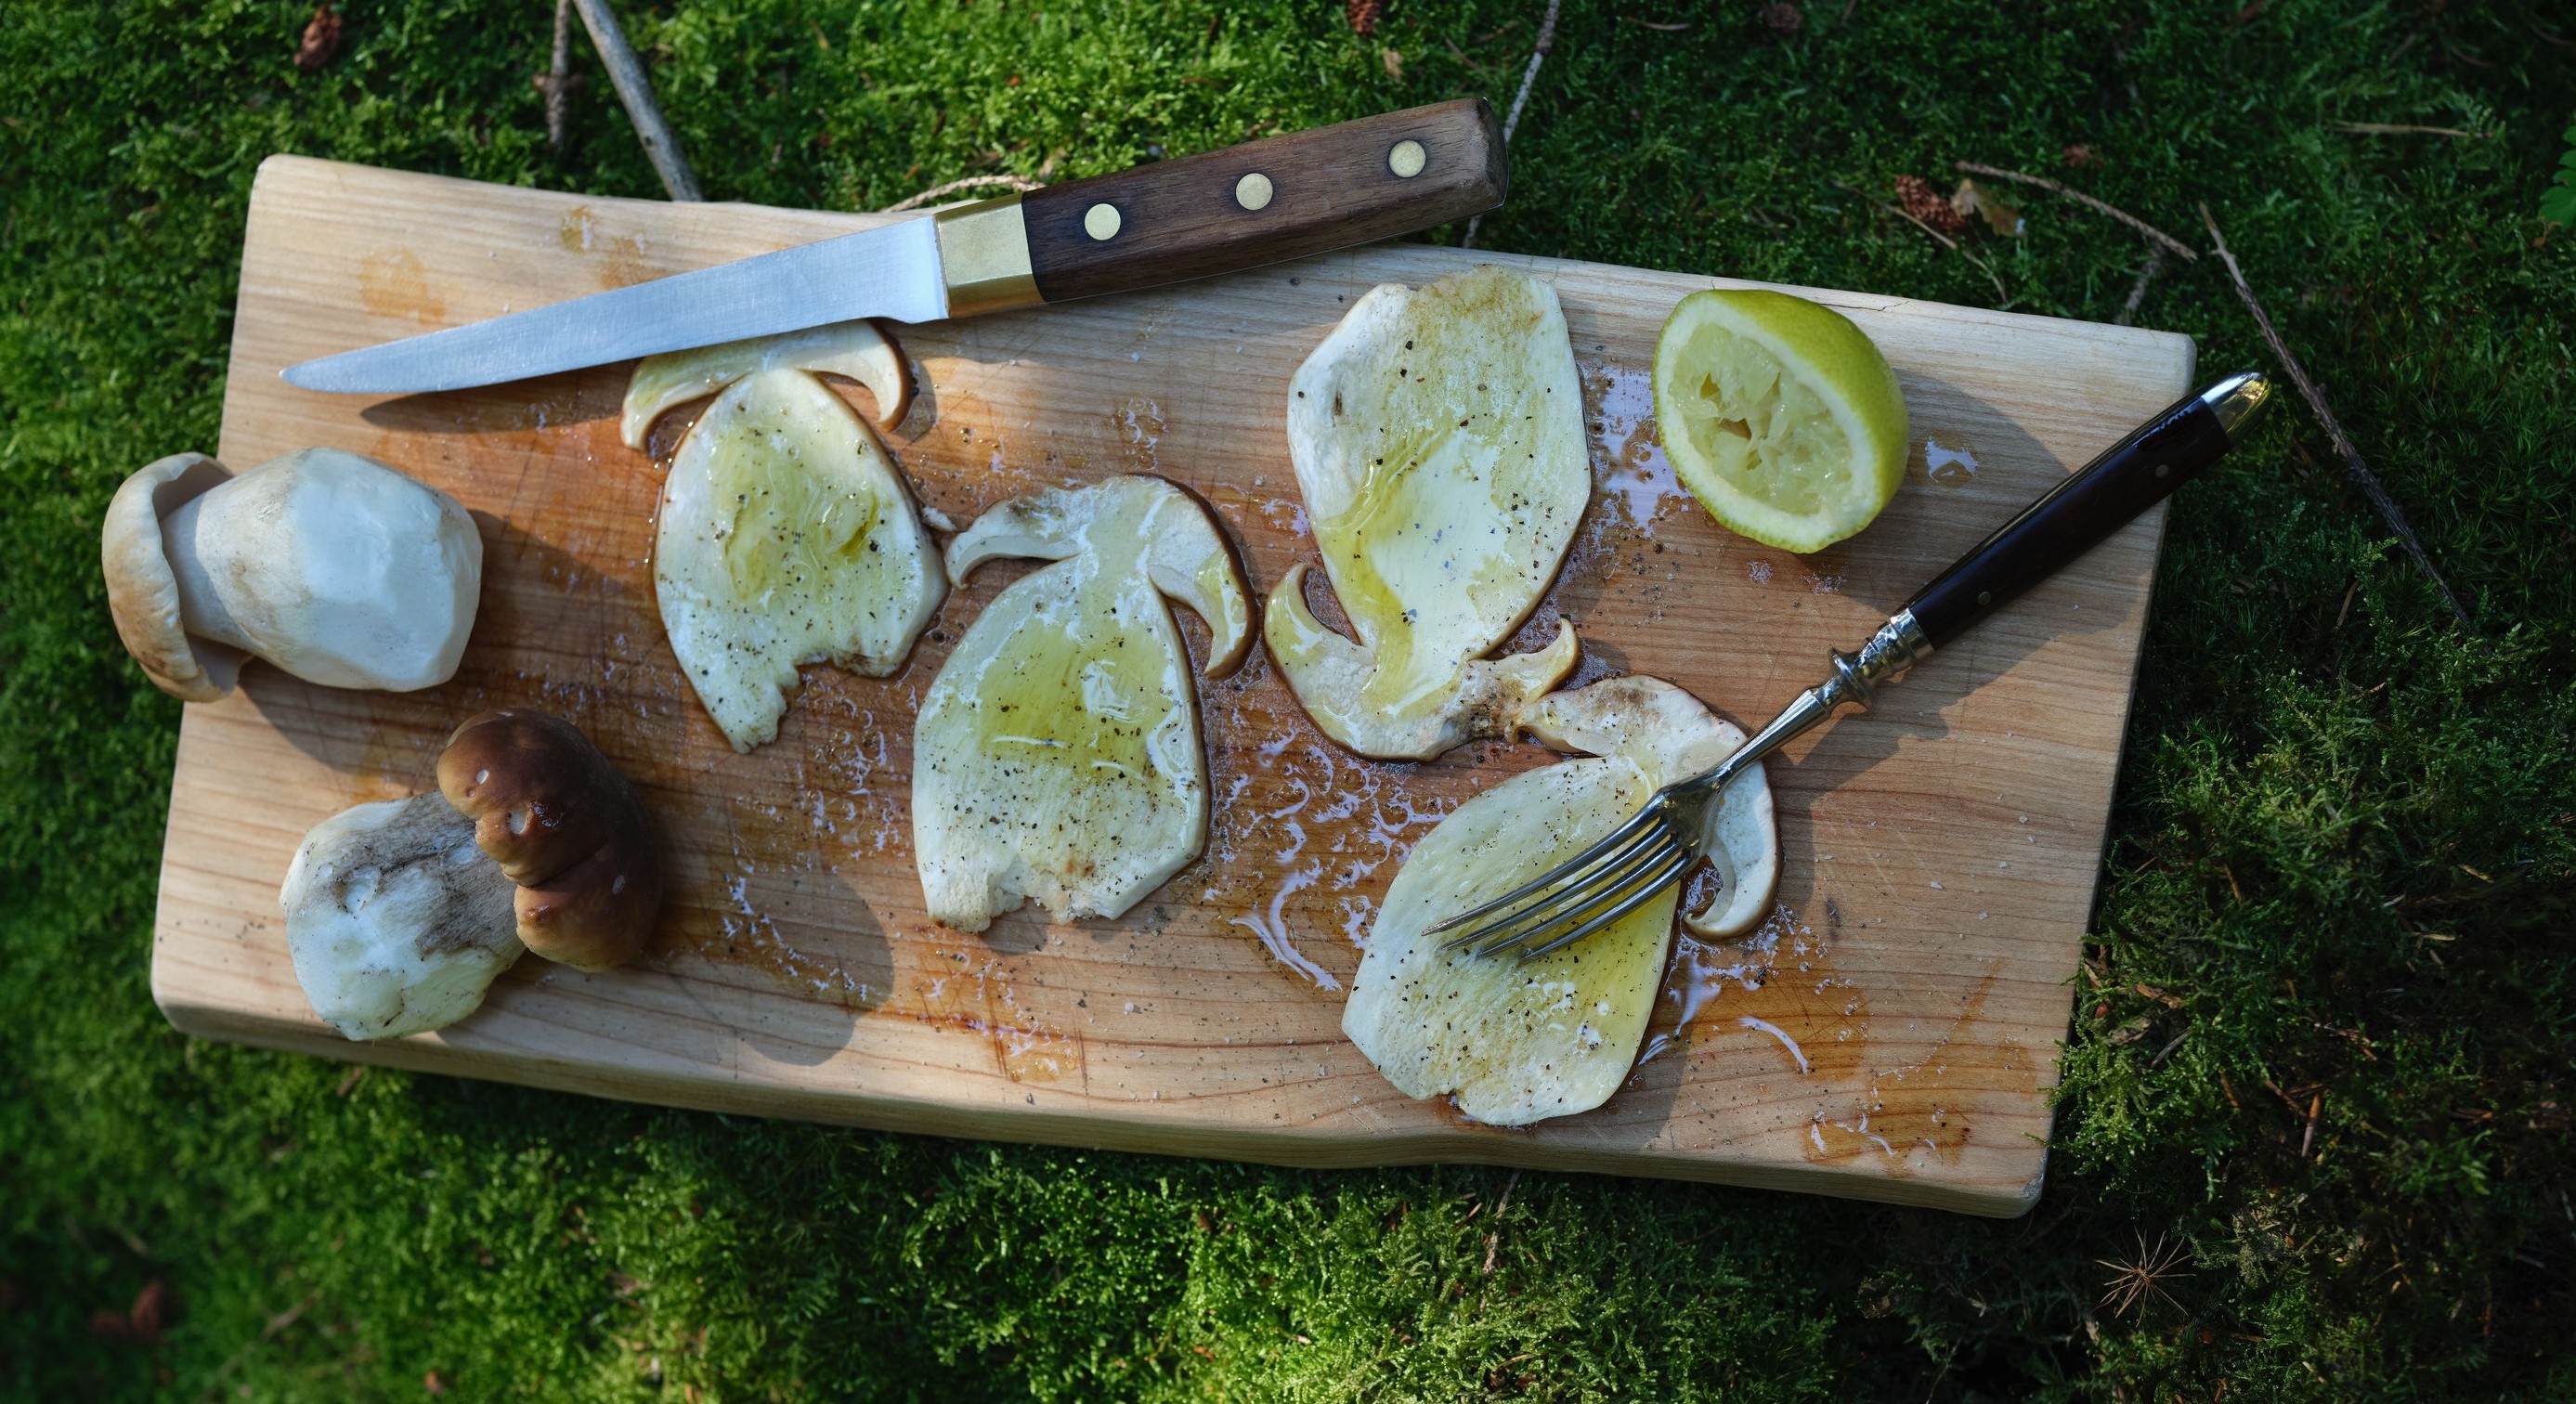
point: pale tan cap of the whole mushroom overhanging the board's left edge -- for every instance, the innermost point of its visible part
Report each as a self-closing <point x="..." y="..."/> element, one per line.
<point x="143" y="589"/>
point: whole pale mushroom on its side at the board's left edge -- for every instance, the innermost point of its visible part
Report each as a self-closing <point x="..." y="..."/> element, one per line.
<point x="328" y="565"/>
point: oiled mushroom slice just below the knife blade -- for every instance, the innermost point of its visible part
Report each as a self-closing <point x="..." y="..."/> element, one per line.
<point x="787" y="532"/>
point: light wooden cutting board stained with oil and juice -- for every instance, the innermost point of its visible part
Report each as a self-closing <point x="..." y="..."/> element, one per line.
<point x="1889" y="1034"/>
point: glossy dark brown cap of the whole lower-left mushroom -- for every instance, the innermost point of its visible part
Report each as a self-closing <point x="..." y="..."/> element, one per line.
<point x="565" y="826"/>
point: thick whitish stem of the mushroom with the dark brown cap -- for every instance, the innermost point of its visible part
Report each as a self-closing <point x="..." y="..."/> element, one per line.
<point x="395" y="921"/>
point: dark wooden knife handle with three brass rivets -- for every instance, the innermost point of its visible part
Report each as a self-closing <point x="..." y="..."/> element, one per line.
<point x="1266" y="202"/>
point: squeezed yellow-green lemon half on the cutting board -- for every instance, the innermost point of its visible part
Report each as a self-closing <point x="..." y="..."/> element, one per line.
<point x="1779" y="416"/>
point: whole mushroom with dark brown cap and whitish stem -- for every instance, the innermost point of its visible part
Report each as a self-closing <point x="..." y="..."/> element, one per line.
<point x="401" y="913"/>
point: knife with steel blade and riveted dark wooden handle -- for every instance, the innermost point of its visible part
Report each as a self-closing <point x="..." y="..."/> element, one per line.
<point x="1191" y="218"/>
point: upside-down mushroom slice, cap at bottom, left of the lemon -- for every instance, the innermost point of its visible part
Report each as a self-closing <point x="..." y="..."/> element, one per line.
<point x="1441" y="450"/>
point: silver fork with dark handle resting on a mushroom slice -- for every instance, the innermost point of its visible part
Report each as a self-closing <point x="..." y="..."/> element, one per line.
<point x="1668" y="836"/>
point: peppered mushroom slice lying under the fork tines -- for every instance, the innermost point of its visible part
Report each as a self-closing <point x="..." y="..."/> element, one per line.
<point x="1521" y="1042"/>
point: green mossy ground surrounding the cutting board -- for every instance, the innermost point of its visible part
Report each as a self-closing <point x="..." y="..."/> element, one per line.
<point x="2322" y="1042"/>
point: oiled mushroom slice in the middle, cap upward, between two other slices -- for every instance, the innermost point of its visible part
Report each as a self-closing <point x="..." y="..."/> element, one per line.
<point x="1057" y="754"/>
